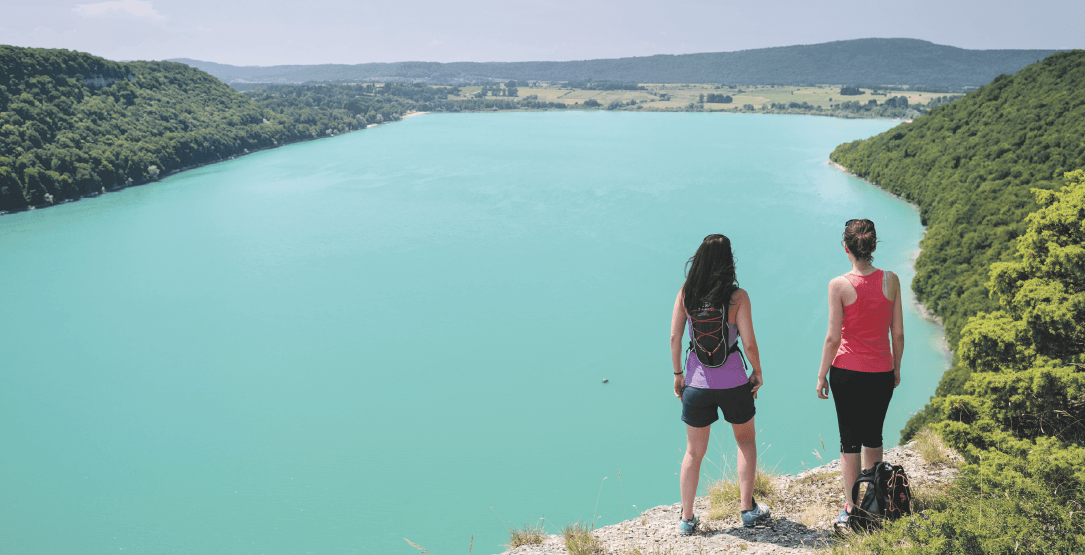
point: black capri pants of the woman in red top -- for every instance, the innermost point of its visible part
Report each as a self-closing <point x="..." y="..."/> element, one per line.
<point x="862" y="401"/>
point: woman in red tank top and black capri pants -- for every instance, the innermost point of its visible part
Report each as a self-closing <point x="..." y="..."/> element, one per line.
<point x="861" y="363"/>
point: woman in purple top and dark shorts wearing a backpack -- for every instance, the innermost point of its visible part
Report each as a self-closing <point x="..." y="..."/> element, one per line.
<point x="718" y="313"/>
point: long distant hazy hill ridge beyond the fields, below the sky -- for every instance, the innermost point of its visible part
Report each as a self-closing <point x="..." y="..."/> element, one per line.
<point x="883" y="62"/>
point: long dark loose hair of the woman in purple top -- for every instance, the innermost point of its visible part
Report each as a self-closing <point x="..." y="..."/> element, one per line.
<point x="710" y="275"/>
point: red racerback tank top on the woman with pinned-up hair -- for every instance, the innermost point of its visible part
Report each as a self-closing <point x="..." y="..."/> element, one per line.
<point x="864" y="342"/>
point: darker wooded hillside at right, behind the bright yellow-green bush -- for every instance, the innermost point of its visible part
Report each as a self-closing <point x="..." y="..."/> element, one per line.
<point x="971" y="166"/>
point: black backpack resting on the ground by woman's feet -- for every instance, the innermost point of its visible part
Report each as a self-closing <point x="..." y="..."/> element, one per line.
<point x="888" y="497"/>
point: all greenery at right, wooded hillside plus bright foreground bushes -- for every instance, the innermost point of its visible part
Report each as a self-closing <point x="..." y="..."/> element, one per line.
<point x="997" y="176"/>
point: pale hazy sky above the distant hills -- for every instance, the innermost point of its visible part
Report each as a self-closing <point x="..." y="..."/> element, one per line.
<point x="353" y="32"/>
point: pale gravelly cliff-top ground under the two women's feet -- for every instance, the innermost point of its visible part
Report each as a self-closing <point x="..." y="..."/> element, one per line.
<point x="803" y="510"/>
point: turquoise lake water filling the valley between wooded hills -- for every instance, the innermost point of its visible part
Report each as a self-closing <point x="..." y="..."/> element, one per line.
<point x="404" y="332"/>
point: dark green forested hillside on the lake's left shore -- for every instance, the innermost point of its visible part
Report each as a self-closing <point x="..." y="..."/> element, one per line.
<point x="74" y="125"/>
